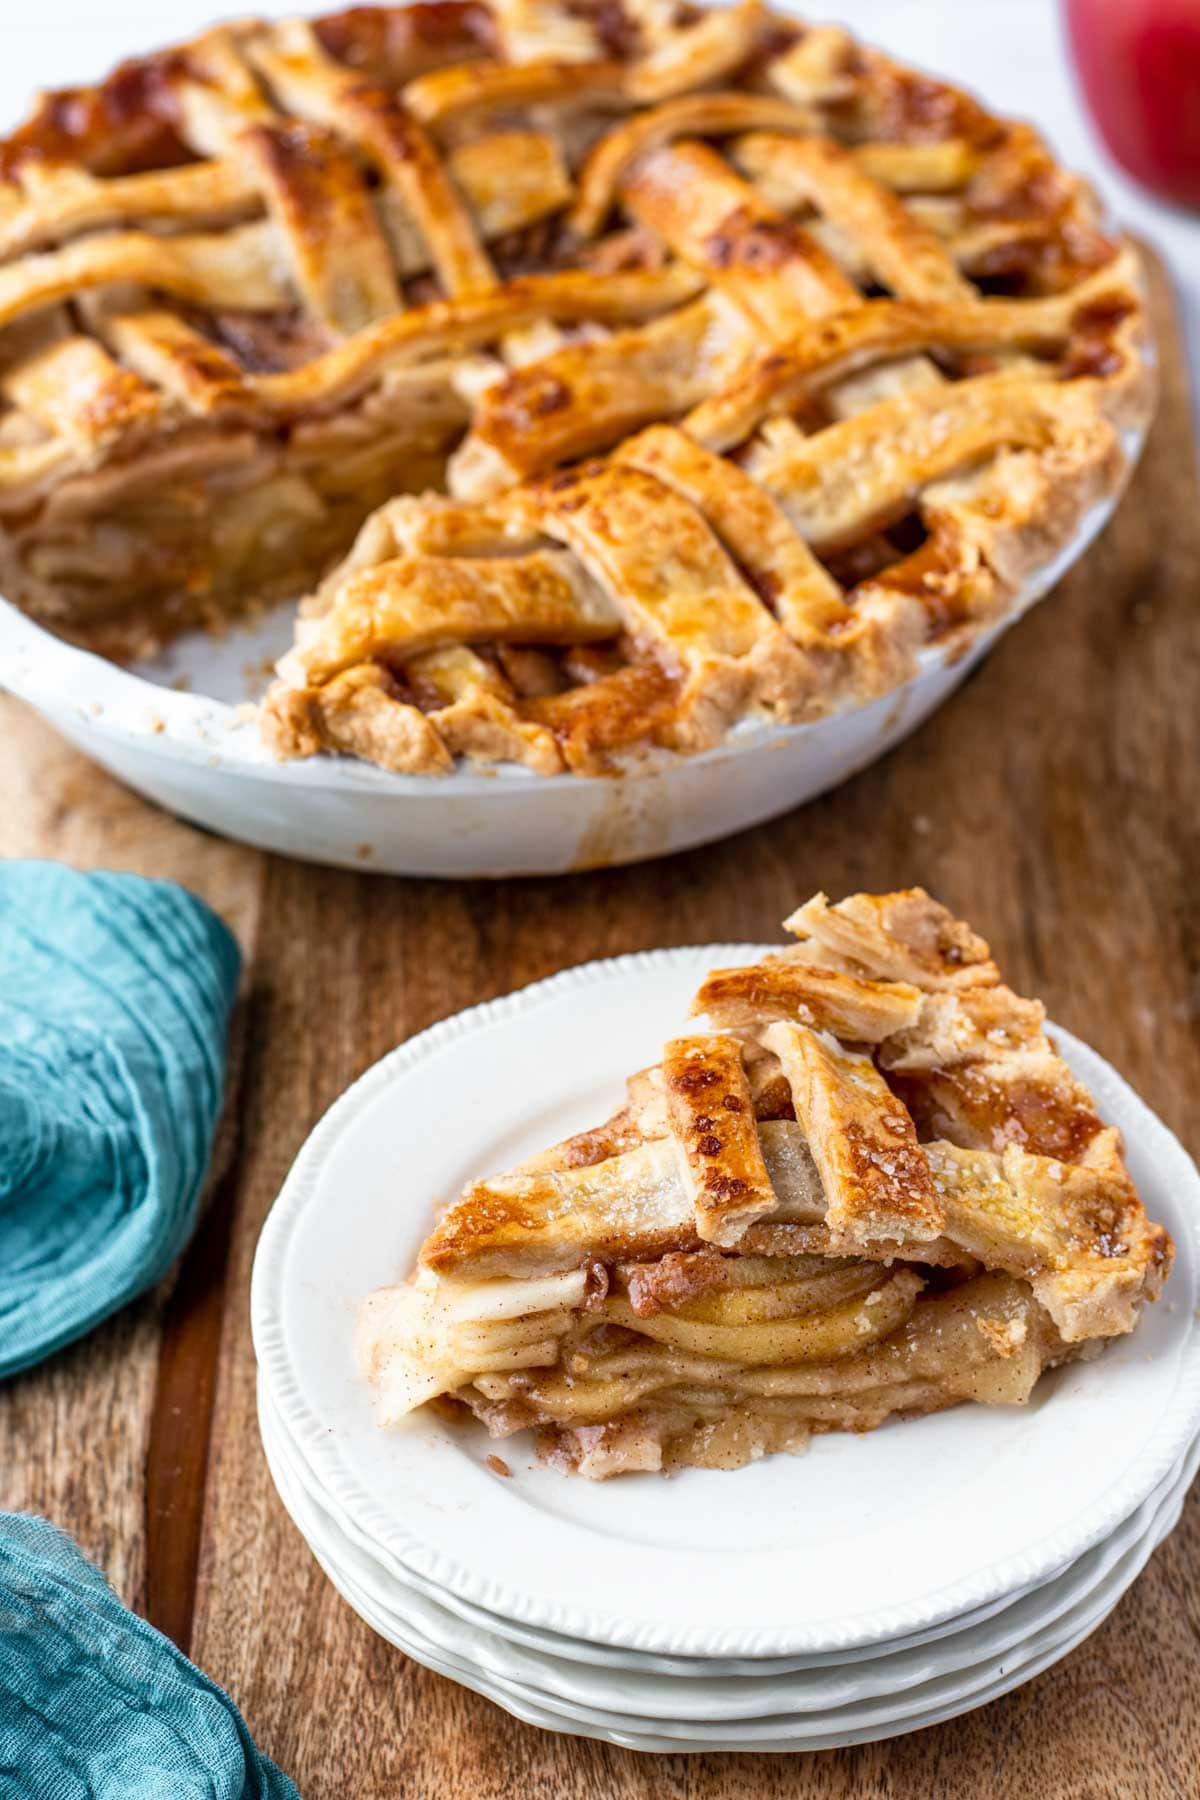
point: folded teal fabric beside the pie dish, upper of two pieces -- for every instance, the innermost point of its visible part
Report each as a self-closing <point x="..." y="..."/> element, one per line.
<point x="114" y="1016"/>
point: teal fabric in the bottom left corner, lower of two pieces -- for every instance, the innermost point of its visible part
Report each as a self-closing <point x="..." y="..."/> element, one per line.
<point x="96" y="1704"/>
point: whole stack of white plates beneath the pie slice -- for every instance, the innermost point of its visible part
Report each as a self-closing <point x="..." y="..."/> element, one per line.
<point x="868" y="1588"/>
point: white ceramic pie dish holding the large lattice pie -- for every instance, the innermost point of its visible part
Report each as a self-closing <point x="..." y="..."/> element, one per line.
<point x="177" y="732"/>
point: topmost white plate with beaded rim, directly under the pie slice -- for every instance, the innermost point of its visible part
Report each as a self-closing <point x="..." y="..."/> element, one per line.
<point x="859" y="1542"/>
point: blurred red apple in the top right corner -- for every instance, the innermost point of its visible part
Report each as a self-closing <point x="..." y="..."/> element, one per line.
<point x="1140" y="67"/>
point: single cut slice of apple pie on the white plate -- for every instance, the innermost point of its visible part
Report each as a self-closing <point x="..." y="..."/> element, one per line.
<point x="868" y="1187"/>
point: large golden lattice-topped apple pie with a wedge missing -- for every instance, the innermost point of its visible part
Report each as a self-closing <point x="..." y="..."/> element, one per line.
<point x="636" y="370"/>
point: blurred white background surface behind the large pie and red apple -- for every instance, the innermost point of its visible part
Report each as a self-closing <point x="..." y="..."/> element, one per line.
<point x="1012" y="51"/>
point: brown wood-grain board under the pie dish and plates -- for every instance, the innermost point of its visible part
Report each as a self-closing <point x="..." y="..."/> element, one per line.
<point x="1053" y="802"/>
